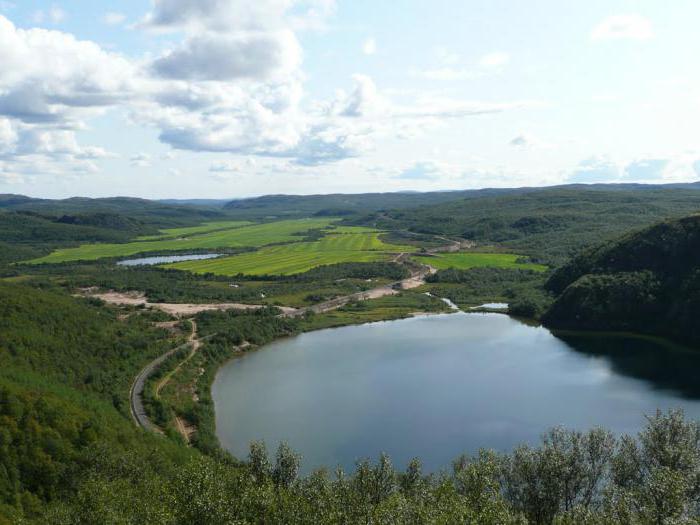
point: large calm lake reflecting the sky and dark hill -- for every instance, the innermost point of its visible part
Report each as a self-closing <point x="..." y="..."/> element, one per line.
<point x="438" y="386"/>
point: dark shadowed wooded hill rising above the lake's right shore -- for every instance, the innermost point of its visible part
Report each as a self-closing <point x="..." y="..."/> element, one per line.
<point x="648" y="282"/>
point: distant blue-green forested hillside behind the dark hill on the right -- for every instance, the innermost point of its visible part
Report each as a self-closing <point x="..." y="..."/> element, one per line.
<point x="549" y="224"/>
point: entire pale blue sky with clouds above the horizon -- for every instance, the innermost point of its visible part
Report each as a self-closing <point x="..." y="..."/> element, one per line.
<point x="234" y="98"/>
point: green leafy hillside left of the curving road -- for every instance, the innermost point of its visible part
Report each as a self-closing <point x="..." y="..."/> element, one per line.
<point x="66" y="367"/>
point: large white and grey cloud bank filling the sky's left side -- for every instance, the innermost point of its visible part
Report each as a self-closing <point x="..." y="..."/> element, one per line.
<point x="233" y="85"/>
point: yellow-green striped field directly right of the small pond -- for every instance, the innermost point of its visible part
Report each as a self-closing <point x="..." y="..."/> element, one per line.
<point x="363" y="246"/>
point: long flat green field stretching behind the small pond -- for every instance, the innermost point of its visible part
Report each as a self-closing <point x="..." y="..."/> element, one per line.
<point x="246" y="236"/>
